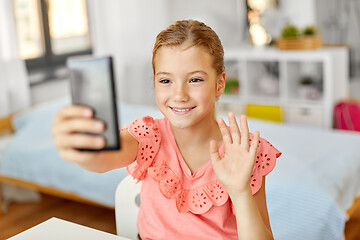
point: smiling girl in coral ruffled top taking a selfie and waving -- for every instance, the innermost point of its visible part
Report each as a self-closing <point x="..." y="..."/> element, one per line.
<point x="201" y="178"/>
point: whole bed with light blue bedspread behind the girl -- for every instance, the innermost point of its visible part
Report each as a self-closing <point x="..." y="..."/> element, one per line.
<point x="313" y="190"/>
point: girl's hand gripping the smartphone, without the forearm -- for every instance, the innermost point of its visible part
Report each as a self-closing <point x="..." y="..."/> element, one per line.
<point x="67" y="130"/>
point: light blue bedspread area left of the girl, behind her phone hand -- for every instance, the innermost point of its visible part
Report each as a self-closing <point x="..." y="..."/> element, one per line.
<point x="31" y="155"/>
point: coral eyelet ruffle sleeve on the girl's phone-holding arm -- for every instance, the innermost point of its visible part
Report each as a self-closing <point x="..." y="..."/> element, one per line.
<point x="145" y="131"/>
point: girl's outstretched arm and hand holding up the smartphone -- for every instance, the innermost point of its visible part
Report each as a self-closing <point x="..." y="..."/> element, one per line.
<point x="66" y="130"/>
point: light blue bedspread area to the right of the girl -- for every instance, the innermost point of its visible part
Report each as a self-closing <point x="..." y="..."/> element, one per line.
<point x="314" y="182"/>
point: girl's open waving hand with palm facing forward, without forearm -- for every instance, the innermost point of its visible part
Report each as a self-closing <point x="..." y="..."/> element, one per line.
<point x="234" y="169"/>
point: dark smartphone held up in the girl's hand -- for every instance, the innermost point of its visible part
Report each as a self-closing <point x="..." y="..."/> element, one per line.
<point x="92" y="83"/>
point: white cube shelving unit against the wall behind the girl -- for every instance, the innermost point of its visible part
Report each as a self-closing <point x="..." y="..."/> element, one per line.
<point x="272" y="77"/>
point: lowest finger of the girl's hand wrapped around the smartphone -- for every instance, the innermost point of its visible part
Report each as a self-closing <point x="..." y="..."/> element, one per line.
<point x="78" y="140"/>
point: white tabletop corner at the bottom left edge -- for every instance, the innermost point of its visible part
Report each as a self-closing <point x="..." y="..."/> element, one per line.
<point x="58" y="229"/>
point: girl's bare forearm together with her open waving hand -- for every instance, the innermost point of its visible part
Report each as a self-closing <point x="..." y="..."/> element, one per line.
<point x="234" y="170"/>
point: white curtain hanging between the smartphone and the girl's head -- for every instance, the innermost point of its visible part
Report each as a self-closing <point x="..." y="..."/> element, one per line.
<point x="127" y="30"/>
